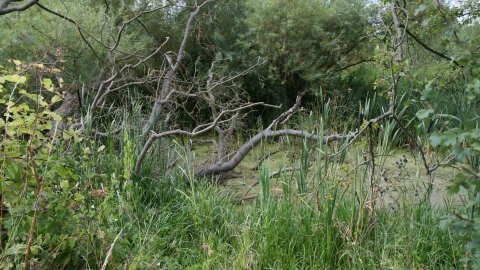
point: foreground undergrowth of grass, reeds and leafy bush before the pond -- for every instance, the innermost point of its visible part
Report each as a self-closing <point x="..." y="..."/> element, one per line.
<point x="92" y="213"/>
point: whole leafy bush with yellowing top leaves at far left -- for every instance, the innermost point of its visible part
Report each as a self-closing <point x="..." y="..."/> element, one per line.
<point x="44" y="210"/>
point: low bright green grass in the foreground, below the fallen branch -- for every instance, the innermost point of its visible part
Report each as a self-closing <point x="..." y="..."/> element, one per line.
<point x="199" y="227"/>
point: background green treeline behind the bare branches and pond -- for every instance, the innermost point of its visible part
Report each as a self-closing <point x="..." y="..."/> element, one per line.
<point x="323" y="47"/>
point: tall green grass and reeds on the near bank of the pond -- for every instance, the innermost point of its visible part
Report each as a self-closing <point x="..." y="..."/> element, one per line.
<point x="176" y="222"/>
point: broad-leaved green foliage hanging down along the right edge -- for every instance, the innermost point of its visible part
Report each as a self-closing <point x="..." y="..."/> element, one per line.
<point x="457" y="129"/>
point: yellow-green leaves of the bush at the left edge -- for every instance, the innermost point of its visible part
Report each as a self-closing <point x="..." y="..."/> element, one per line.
<point x="32" y="165"/>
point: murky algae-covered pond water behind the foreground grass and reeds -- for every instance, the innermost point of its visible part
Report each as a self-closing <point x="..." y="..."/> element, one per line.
<point x="396" y="183"/>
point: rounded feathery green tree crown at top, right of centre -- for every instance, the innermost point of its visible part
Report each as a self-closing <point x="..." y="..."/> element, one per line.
<point x="306" y="39"/>
